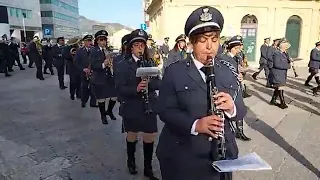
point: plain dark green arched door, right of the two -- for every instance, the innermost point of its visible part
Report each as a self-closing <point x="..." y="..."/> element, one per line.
<point x="293" y="32"/>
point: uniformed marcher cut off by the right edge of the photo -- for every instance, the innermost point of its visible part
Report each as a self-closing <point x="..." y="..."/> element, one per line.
<point x="314" y="65"/>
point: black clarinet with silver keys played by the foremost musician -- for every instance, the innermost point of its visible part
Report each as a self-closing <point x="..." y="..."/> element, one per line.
<point x="218" y="148"/>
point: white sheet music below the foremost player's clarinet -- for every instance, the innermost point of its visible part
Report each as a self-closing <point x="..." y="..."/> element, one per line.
<point x="250" y="162"/>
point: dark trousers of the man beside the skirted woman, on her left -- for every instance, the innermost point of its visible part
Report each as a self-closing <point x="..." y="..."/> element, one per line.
<point x="86" y="92"/>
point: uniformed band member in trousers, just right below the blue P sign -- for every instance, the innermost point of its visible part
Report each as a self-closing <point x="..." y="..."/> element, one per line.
<point x="59" y="61"/>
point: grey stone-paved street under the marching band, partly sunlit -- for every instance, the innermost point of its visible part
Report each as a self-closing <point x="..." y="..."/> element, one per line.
<point x="44" y="135"/>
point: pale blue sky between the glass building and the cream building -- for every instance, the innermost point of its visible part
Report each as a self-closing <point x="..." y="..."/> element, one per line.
<point x="126" y="12"/>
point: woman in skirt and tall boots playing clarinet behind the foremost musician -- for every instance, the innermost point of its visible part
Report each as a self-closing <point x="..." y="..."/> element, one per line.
<point x="132" y="110"/>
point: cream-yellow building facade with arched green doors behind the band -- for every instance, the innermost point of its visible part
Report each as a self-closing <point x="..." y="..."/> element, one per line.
<point x="298" y="21"/>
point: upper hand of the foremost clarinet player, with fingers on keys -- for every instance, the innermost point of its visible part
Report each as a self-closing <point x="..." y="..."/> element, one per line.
<point x="224" y="102"/>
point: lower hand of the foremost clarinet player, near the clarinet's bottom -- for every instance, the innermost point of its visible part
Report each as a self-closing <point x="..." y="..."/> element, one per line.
<point x="209" y="125"/>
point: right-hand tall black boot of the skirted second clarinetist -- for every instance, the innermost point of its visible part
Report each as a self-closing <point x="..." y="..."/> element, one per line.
<point x="148" y="153"/>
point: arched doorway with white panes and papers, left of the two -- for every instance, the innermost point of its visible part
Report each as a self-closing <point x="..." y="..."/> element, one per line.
<point x="249" y="29"/>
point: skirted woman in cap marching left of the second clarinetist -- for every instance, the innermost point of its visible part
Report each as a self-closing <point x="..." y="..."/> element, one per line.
<point x="102" y="76"/>
